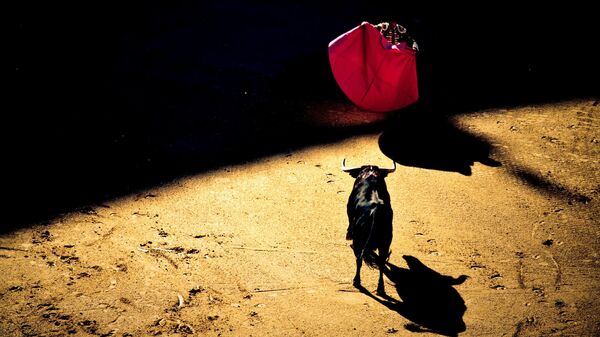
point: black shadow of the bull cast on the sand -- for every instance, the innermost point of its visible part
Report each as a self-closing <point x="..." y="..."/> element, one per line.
<point x="428" y="299"/>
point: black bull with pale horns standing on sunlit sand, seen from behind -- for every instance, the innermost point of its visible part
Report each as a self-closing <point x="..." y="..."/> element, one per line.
<point x="370" y="219"/>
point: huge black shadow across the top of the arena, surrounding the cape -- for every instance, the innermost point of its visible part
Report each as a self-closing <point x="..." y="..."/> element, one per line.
<point x="113" y="98"/>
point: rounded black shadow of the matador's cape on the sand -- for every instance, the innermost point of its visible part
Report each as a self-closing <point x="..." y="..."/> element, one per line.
<point x="422" y="137"/>
